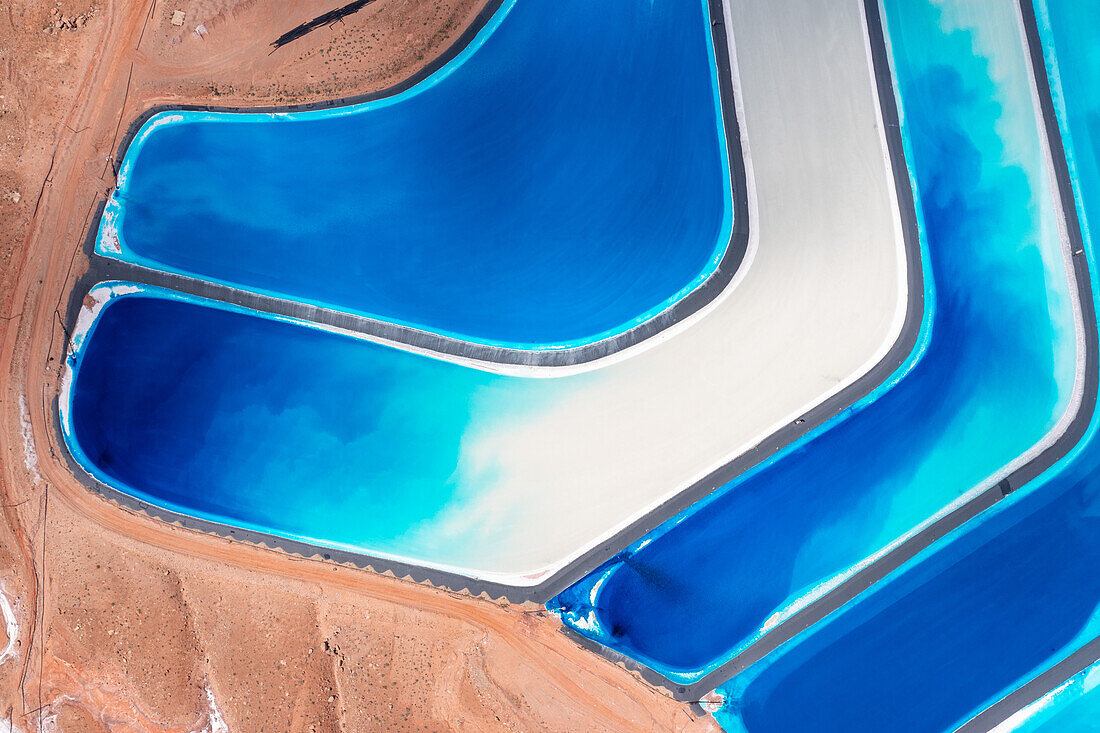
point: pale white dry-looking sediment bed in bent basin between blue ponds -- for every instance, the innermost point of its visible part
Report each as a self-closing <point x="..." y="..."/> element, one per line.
<point x="607" y="447"/>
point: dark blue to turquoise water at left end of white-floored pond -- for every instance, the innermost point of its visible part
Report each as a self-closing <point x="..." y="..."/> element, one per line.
<point x="266" y="425"/>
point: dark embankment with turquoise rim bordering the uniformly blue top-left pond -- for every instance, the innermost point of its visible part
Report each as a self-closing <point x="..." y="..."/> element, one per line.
<point x="723" y="267"/>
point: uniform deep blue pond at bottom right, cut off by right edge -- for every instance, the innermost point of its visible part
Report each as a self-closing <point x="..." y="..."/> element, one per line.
<point x="952" y="634"/>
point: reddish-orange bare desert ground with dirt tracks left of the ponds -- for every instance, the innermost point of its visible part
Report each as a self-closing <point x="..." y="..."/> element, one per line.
<point x="130" y="625"/>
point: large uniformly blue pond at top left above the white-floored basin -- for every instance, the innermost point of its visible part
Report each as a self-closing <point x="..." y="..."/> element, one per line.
<point x="563" y="180"/>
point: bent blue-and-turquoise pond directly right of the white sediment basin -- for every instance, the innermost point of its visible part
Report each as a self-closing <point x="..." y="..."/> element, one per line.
<point x="995" y="377"/>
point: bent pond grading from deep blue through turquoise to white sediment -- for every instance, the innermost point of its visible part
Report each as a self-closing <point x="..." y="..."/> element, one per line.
<point x="505" y="479"/>
